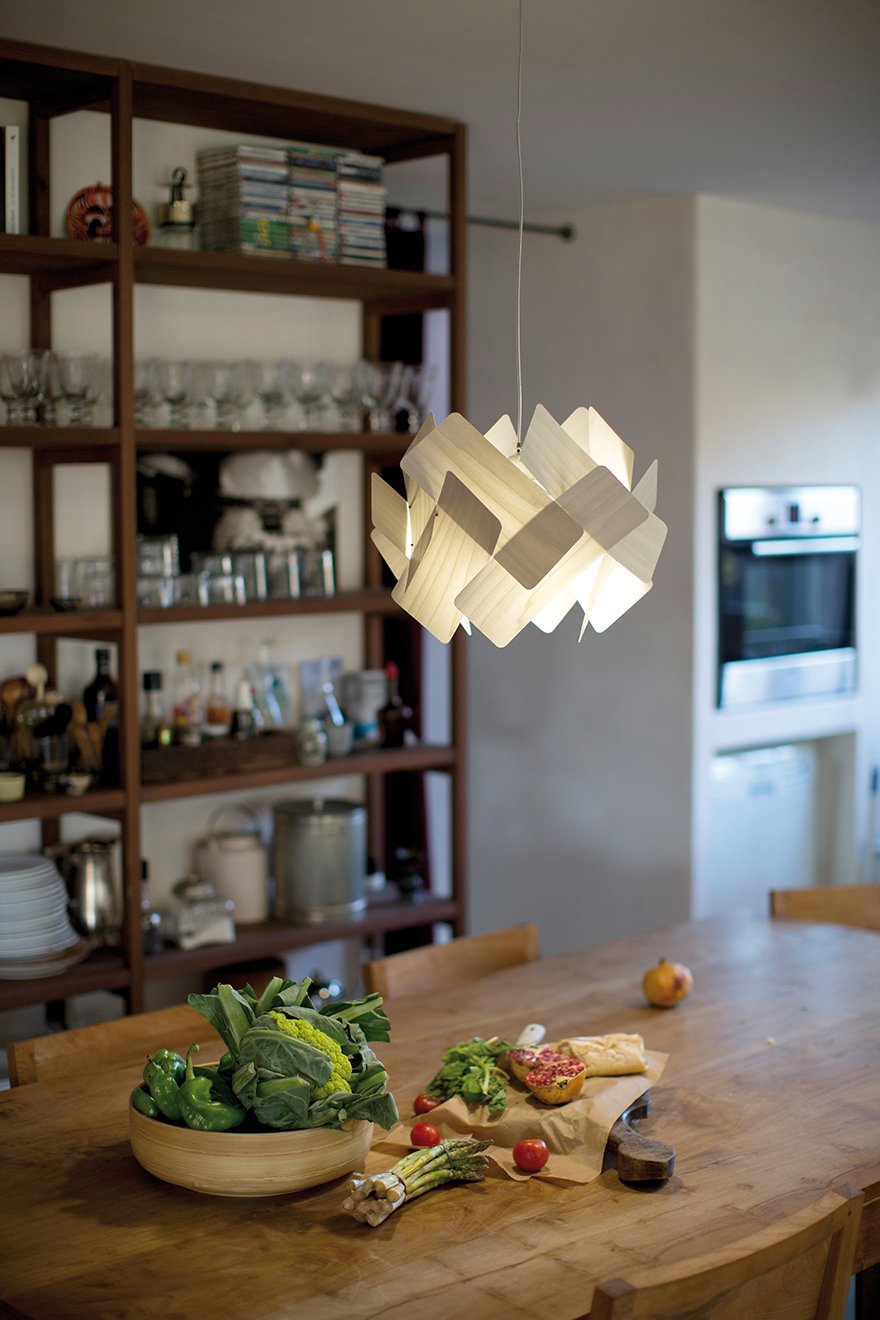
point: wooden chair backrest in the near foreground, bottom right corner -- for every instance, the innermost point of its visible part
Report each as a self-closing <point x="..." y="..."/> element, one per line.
<point x="799" y="1269"/>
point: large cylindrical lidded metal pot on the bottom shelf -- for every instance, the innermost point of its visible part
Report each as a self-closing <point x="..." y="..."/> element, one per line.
<point x="320" y="860"/>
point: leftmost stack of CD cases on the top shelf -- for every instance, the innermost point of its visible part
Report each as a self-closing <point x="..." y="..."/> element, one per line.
<point x="245" y="200"/>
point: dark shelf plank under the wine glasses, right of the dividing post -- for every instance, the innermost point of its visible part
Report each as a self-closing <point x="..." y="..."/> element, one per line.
<point x="371" y="444"/>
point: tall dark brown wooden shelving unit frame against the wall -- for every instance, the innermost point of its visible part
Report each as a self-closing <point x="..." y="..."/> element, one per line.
<point x="56" y="82"/>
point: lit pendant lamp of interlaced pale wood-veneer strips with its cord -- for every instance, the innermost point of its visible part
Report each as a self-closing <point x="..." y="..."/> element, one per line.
<point x="498" y="533"/>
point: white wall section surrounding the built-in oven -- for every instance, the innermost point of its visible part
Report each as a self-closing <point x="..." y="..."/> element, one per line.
<point x="788" y="376"/>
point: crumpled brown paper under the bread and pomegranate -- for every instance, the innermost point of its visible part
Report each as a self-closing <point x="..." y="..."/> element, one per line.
<point x="576" y="1133"/>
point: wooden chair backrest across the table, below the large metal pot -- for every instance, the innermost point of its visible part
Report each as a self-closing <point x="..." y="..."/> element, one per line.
<point x="466" y="959"/>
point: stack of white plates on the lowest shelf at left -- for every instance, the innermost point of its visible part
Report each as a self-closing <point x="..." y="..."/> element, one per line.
<point x="36" y="937"/>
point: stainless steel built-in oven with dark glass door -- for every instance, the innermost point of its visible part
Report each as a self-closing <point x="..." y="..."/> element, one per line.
<point x="787" y="572"/>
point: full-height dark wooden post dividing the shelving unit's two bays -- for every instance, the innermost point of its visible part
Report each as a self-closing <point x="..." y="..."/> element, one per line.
<point x="125" y="486"/>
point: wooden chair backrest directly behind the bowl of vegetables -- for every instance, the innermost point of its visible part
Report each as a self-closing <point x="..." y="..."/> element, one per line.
<point x="121" y="1043"/>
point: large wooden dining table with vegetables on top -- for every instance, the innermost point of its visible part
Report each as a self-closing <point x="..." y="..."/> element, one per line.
<point x="771" y="1096"/>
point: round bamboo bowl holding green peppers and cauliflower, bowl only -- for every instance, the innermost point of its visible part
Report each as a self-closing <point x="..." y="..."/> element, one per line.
<point x="247" y="1164"/>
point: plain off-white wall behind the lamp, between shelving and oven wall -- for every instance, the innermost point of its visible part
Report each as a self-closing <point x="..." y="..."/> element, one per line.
<point x="581" y="754"/>
